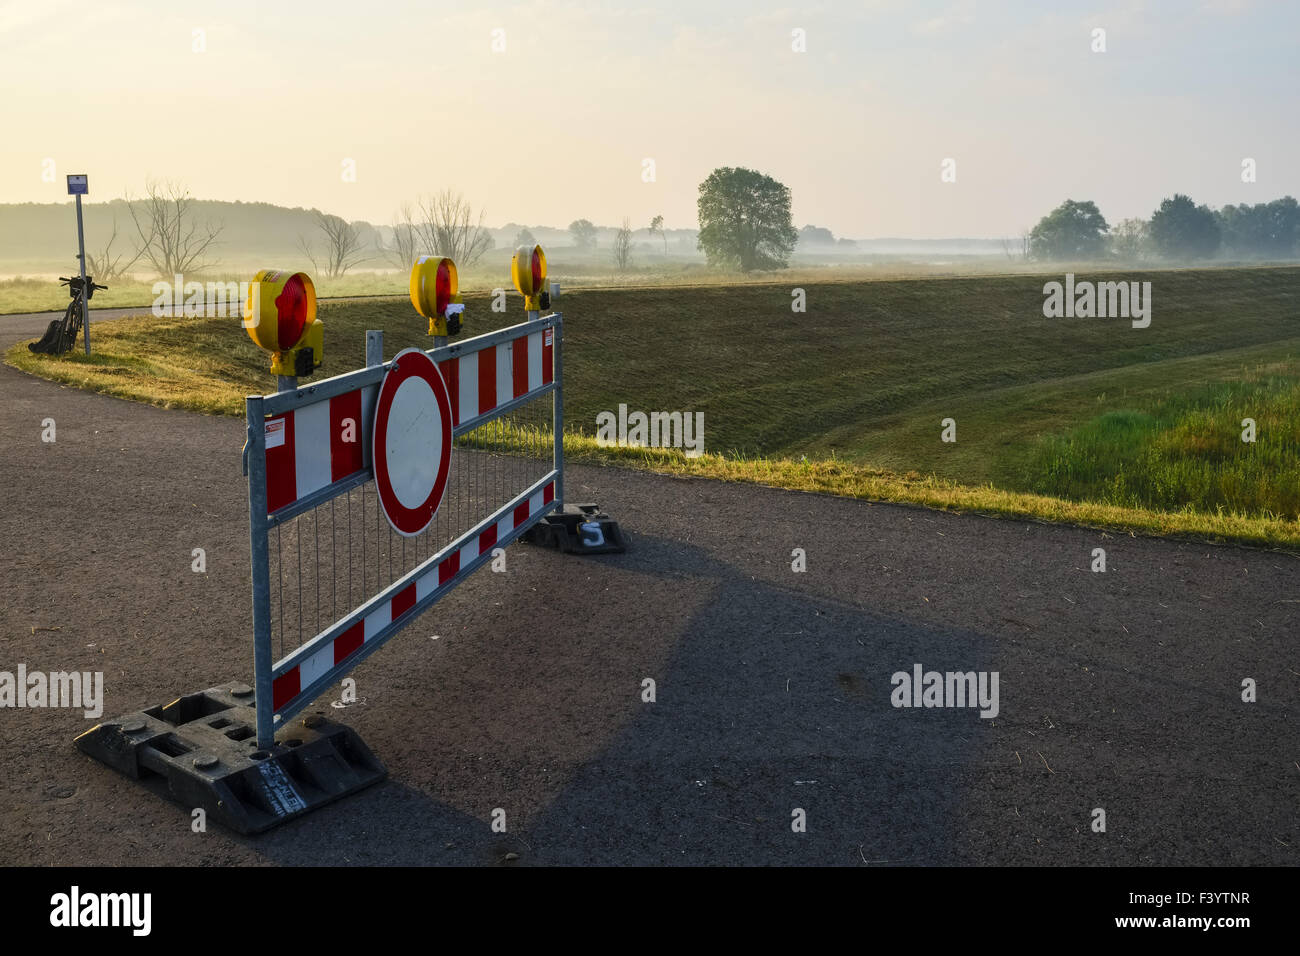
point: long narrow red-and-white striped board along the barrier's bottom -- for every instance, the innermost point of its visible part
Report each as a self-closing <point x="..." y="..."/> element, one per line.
<point x="445" y="574"/>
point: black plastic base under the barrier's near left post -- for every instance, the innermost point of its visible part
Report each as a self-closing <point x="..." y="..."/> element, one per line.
<point x="202" y="751"/>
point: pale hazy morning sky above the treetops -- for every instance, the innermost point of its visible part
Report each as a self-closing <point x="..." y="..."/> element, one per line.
<point x="558" y="126"/>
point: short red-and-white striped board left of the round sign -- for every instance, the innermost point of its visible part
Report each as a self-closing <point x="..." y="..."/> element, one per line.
<point x="317" y="445"/>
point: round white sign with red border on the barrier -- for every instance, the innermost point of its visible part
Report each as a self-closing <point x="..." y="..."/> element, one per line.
<point x="413" y="442"/>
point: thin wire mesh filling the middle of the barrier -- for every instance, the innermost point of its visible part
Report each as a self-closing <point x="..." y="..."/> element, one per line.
<point x="331" y="560"/>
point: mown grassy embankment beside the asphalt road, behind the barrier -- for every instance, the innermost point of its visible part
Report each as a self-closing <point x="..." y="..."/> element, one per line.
<point x="1051" y="410"/>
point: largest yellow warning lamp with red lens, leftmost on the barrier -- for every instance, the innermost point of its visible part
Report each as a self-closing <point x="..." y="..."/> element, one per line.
<point x="280" y="317"/>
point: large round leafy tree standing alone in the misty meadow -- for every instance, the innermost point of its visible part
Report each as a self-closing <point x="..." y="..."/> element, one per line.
<point x="746" y="220"/>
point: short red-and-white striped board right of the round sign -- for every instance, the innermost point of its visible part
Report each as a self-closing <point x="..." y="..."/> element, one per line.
<point x="491" y="378"/>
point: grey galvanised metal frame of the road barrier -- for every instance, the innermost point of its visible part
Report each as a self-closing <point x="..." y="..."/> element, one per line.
<point x="261" y="408"/>
